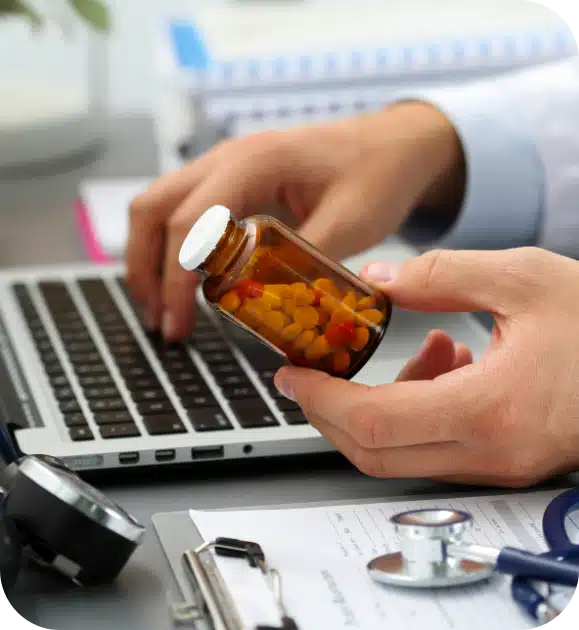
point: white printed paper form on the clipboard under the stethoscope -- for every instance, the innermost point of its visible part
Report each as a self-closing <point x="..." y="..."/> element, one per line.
<point x="321" y="554"/>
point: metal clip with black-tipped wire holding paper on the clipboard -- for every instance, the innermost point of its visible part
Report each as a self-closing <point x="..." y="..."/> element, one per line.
<point x="212" y="599"/>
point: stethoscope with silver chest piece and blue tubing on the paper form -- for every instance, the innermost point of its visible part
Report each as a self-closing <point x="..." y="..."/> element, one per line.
<point x="433" y="555"/>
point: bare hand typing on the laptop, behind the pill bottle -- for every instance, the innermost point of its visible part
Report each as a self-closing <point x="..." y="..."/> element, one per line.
<point x="341" y="180"/>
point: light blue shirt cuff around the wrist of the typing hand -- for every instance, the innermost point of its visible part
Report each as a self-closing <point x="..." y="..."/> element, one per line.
<point x="504" y="175"/>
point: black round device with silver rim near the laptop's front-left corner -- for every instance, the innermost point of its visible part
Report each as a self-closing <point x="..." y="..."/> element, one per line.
<point x="53" y="518"/>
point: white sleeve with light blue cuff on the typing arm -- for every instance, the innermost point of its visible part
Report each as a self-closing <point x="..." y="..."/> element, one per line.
<point x="520" y="134"/>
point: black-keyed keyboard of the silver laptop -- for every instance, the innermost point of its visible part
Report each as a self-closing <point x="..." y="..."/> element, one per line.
<point x="129" y="382"/>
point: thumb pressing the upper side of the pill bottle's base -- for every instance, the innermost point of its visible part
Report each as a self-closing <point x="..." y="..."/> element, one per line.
<point x="465" y="281"/>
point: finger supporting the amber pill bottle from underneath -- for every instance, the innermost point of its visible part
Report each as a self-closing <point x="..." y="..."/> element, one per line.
<point x="399" y="414"/>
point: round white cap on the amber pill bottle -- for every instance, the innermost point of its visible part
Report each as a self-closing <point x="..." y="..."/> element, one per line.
<point x="203" y="237"/>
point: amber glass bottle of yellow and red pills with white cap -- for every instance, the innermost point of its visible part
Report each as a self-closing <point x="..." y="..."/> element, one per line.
<point x="264" y="277"/>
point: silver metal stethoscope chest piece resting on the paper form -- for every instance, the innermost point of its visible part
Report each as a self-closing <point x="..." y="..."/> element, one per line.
<point x="428" y="556"/>
